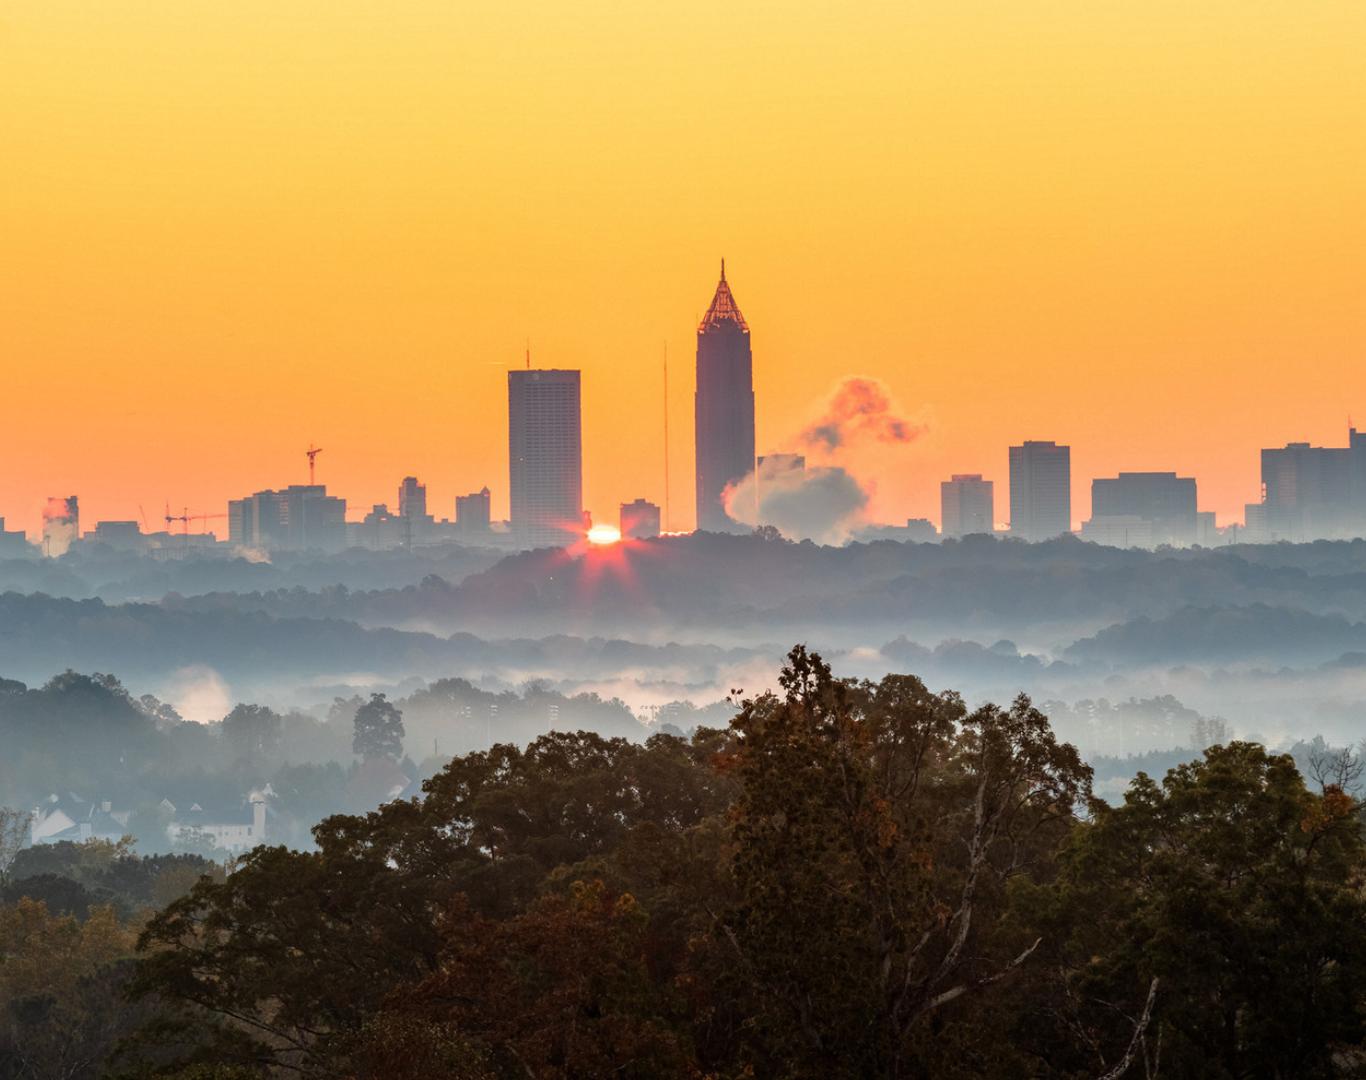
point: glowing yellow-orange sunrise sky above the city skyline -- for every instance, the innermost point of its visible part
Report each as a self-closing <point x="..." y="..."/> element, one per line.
<point x="227" y="230"/>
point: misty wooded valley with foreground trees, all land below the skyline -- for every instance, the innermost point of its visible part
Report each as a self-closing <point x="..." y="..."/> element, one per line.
<point x="1005" y="810"/>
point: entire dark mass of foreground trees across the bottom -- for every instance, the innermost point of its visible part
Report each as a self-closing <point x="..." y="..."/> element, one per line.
<point x="850" y="880"/>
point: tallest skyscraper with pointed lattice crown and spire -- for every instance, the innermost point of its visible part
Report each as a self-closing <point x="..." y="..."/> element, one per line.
<point x="723" y="408"/>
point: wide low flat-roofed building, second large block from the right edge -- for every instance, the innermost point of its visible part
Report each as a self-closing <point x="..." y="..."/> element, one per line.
<point x="1143" y="510"/>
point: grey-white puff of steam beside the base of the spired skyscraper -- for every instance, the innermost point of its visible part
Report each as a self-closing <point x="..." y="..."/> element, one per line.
<point x="824" y="505"/>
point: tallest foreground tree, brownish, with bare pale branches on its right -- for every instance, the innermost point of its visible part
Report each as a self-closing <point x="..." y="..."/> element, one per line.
<point x="874" y="836"/>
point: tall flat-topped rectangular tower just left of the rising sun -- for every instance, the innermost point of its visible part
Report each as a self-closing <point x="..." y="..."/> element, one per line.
<point x="546" y="455"/>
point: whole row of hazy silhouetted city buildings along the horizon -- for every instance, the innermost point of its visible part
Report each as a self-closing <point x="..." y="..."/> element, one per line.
<point x="547" y="477"/>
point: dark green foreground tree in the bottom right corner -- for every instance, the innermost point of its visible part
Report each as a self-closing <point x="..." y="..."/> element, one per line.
<point x="1240" y="892"/>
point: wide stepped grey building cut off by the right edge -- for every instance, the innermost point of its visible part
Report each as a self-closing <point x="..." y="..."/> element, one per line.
<point x="1315" y="492"/>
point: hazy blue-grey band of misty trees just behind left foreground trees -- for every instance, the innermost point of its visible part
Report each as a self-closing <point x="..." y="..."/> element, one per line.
<point x="89" y="737"/>
